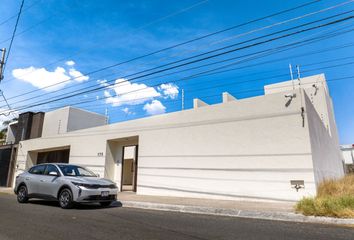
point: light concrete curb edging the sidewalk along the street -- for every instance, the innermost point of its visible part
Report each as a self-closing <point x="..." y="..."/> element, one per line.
<point x="279" y="216"/>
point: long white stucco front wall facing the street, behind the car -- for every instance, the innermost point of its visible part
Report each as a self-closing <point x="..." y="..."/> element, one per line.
<point x="245" y="149"/>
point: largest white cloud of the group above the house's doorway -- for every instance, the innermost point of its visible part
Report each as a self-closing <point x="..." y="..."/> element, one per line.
<point x="127" y="93"/>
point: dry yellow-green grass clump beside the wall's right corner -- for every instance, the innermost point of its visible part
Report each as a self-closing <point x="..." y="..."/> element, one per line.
<point x="335" y="198"/>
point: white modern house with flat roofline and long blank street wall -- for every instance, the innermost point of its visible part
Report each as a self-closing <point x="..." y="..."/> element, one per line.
<point x="277" y="146"/>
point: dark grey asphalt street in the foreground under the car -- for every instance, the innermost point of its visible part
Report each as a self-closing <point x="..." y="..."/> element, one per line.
<point x="45" y="220"/>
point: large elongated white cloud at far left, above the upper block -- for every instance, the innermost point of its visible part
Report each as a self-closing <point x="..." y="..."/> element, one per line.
<point x="40" y="77"/>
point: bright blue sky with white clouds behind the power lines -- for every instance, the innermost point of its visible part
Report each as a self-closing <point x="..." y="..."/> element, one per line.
<point x="60" y="39"/>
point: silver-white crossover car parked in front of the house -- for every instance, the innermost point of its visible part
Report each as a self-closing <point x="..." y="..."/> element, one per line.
<point x="66" y="183"/>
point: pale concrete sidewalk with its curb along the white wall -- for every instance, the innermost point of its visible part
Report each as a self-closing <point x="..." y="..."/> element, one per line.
<point x="281" y="211"/>
